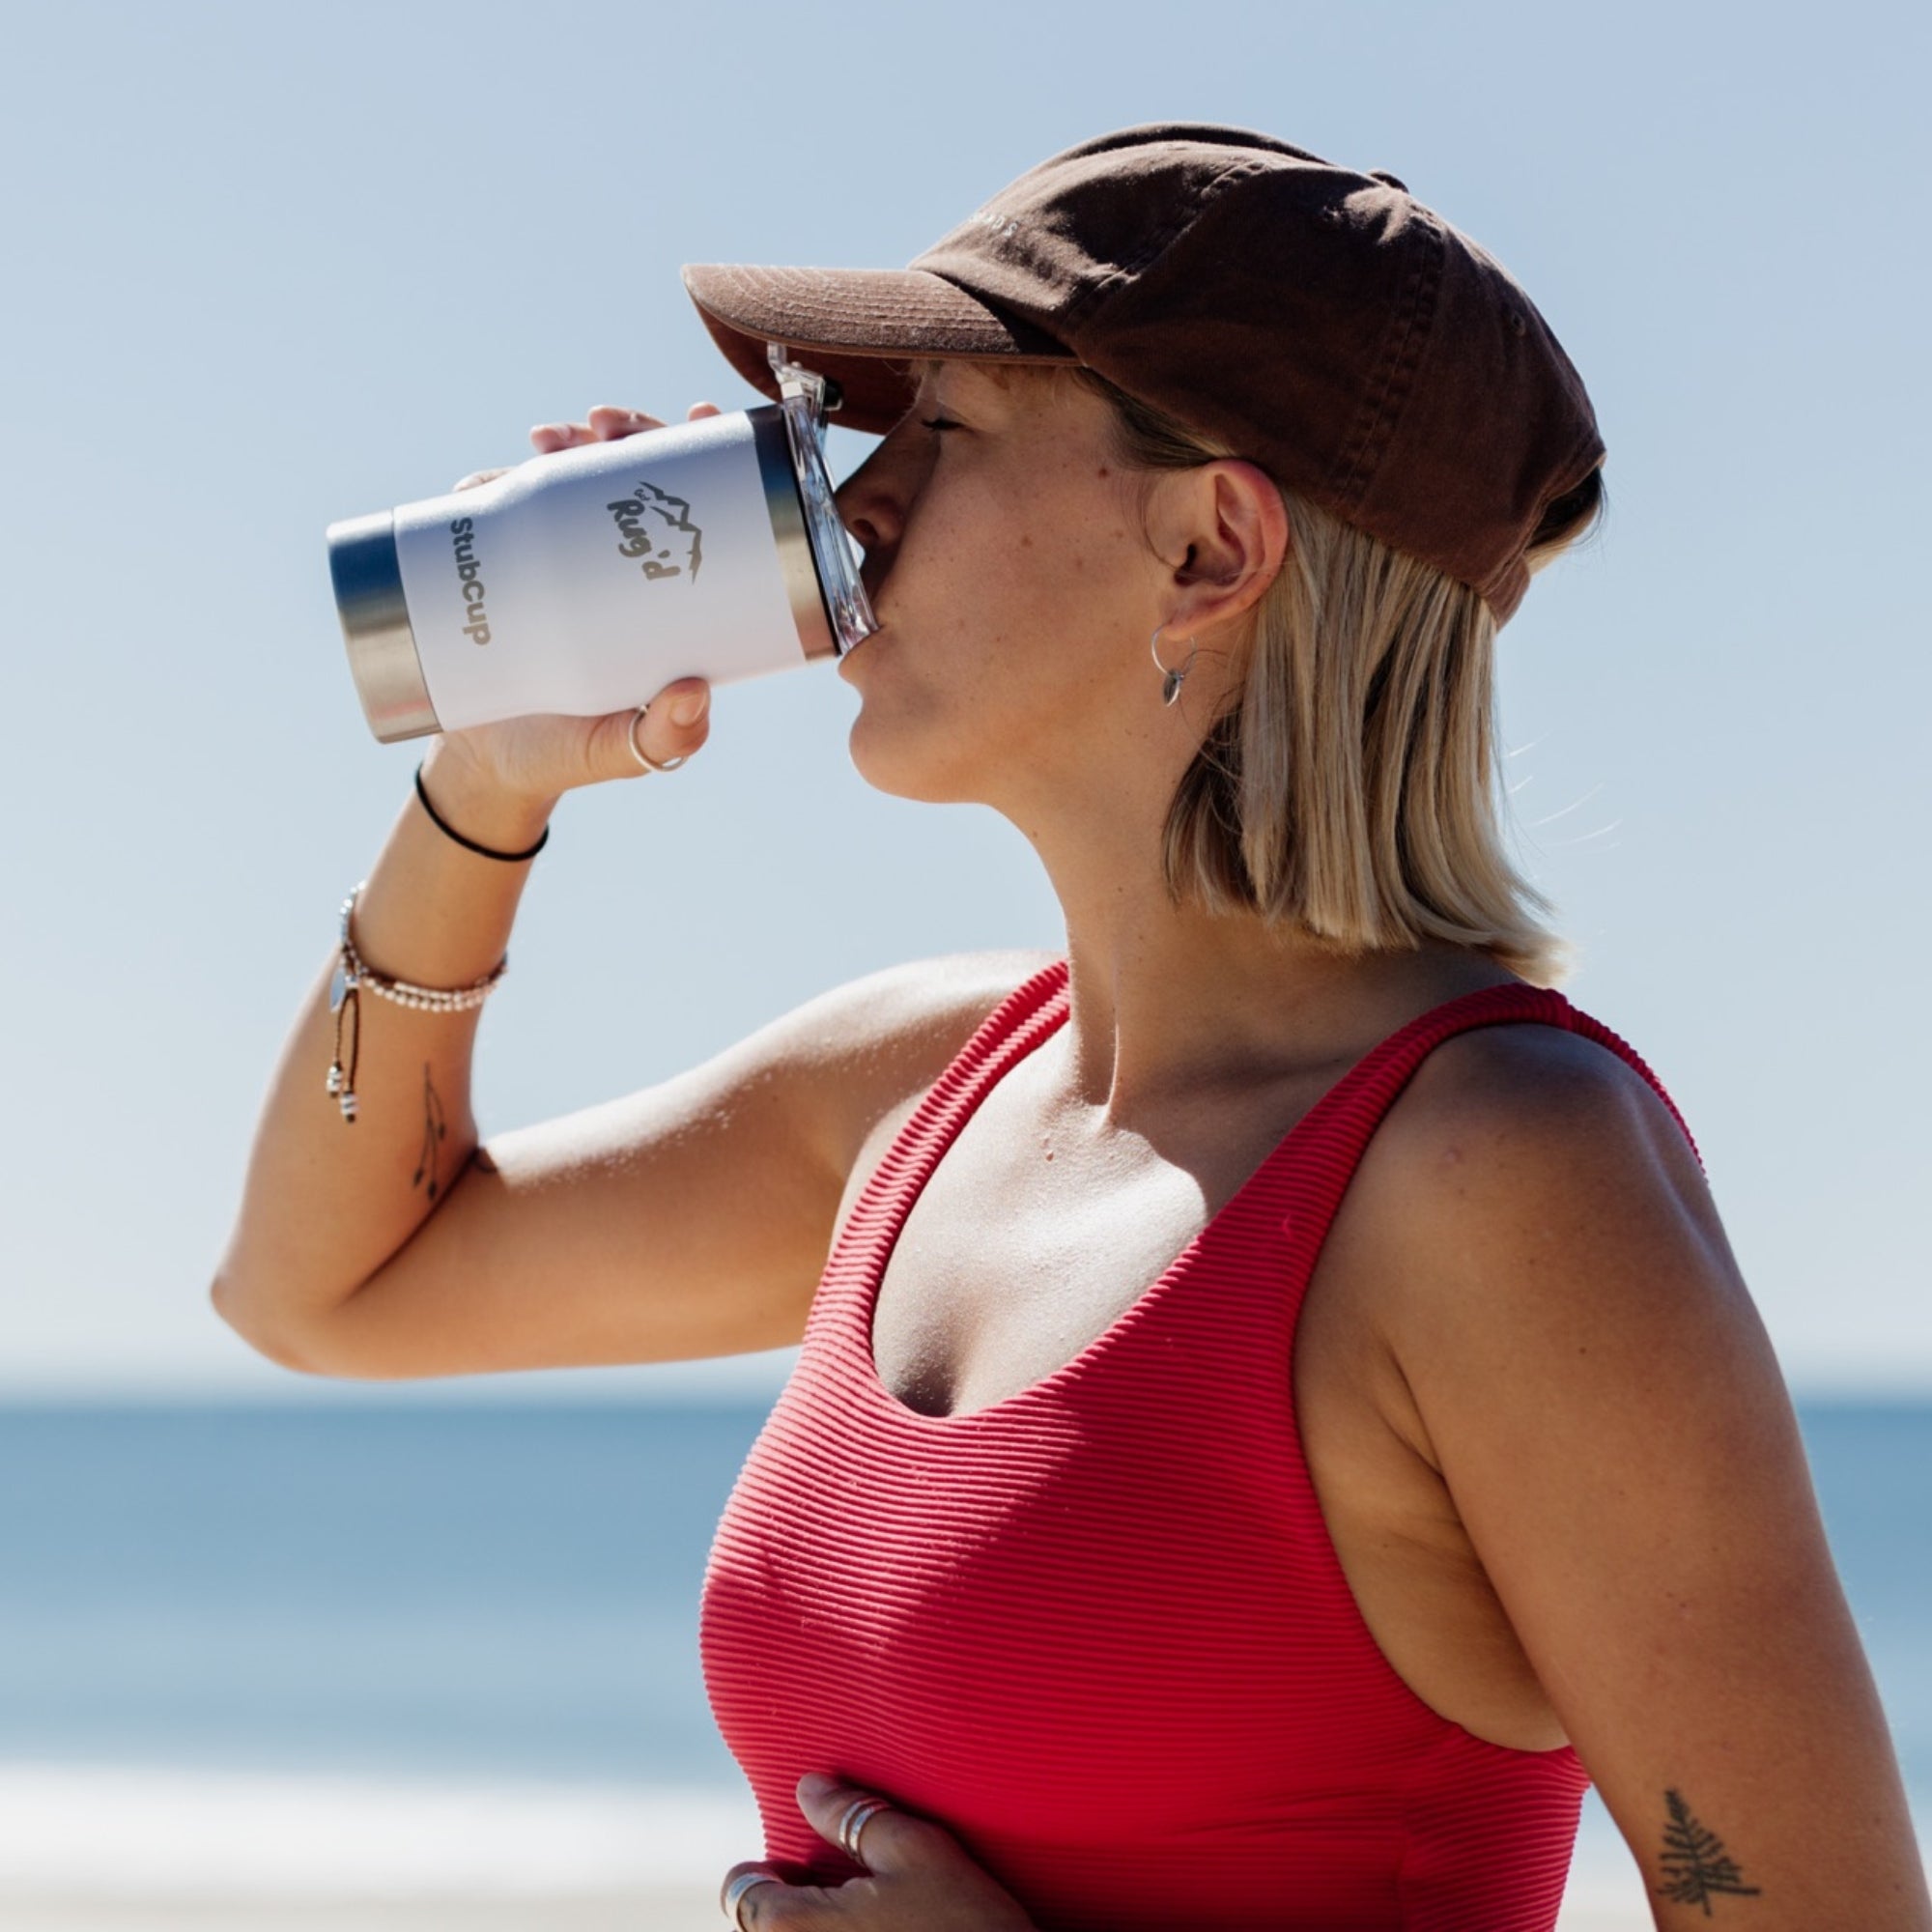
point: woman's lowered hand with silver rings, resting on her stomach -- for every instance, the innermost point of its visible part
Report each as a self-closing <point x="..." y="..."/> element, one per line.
<point x="919" y="1879"/>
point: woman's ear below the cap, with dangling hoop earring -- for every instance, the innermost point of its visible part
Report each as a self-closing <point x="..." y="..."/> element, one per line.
<point x="1224" y="534"/>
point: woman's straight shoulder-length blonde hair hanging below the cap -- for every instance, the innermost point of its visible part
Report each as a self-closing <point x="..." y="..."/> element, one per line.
<point x="1351" y="787"/>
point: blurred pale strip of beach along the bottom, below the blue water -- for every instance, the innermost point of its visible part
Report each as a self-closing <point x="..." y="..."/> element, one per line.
<point x="128" y="1850"/>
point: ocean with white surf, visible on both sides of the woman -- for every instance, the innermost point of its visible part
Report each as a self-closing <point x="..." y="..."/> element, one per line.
<point x="467" y="1634"/>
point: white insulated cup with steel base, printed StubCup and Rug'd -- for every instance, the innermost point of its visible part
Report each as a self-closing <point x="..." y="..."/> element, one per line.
<point x="588" y="581"/>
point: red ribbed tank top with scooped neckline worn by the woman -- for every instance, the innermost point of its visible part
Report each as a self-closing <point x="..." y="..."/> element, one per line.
<point x="1098" y="1628"/>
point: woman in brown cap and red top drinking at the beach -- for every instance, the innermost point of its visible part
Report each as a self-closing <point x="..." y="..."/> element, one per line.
<point x="1278" y="1413"/>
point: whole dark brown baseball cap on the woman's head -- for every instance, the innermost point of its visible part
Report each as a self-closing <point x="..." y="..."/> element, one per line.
<point x="1324" y="324"/>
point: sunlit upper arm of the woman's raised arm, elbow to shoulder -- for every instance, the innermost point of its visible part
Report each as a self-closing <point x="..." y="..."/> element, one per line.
<point x="687" y="1220"/>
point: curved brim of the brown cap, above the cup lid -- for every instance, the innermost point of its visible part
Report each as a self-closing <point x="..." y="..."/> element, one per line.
<point x="861" y="327"/>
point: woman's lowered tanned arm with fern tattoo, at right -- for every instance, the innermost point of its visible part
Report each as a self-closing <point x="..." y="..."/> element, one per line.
<point x="1605" y="1407"/>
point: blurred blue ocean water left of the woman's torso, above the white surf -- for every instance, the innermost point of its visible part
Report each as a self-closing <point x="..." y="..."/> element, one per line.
<point x="376" y="1587"/>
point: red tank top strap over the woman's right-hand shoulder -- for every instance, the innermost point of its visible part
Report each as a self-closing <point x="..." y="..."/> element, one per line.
<point x="1330" y="1143"/>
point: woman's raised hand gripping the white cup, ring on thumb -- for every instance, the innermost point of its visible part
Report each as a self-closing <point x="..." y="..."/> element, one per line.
<point x="532" y="762"/>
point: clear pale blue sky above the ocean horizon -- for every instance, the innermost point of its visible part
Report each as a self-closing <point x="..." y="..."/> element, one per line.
<point x="270" y="268"/>
